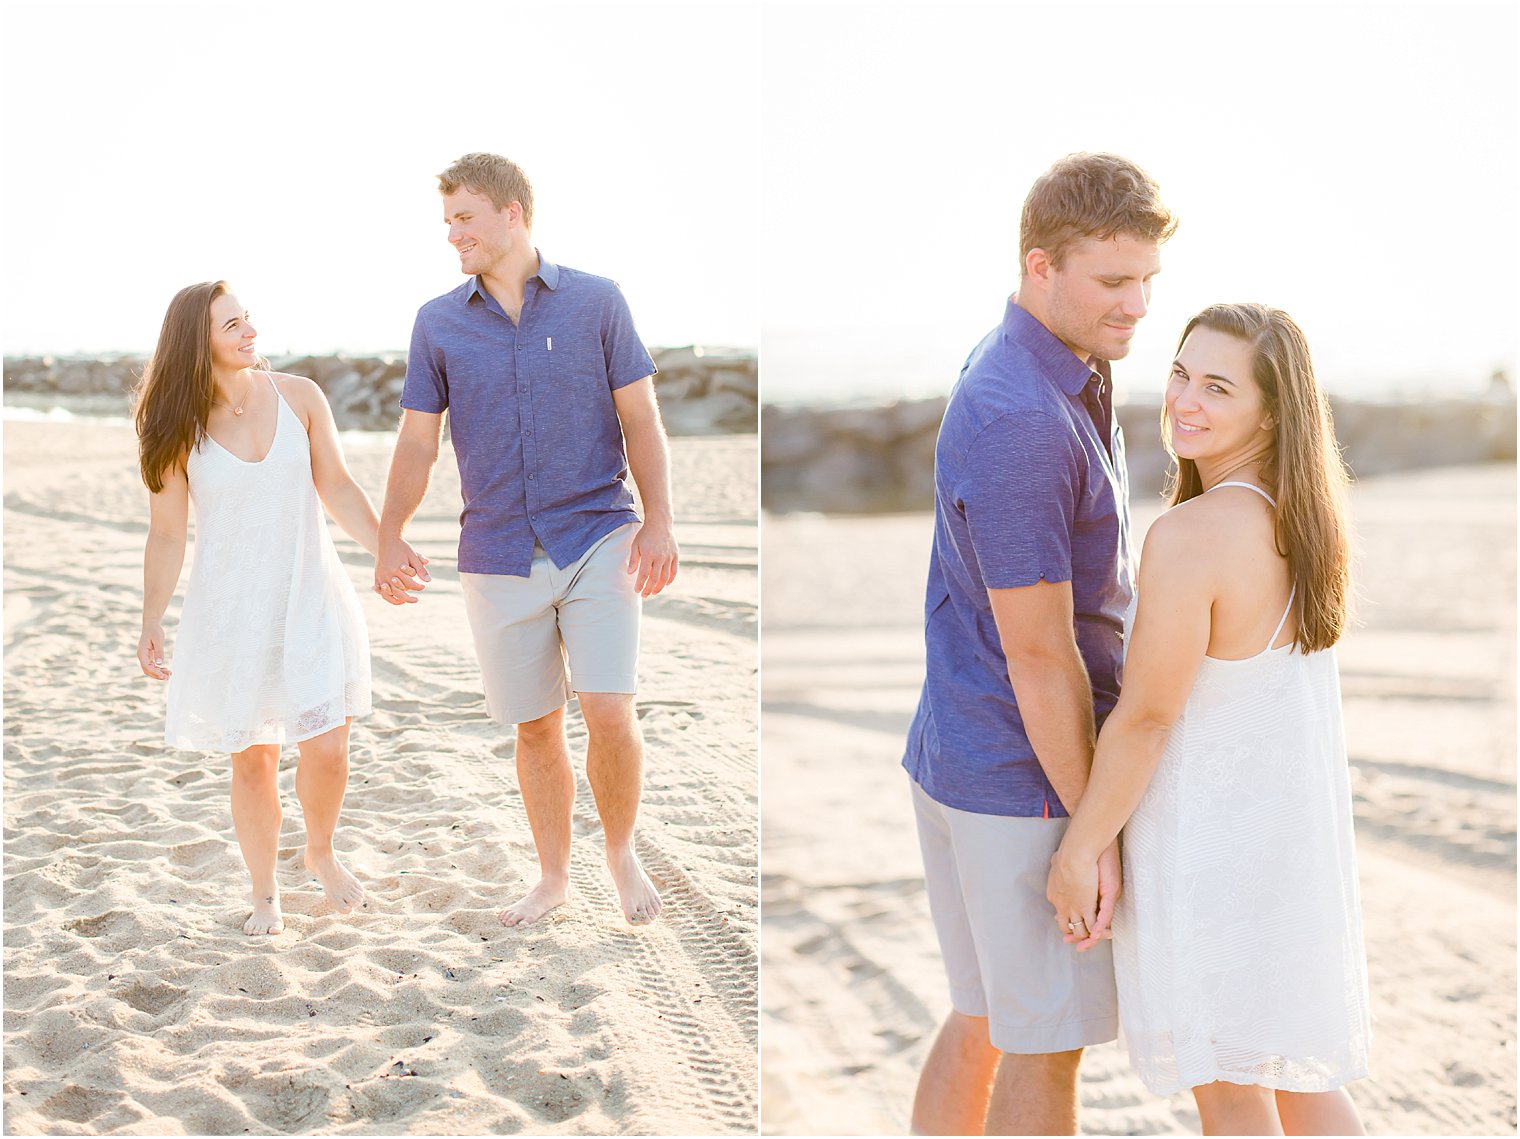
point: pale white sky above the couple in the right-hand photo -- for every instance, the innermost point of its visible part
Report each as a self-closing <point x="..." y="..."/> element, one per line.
<point x="1354" y="165"/>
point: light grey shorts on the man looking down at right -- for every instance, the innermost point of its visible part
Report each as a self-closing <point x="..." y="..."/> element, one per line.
<point x="998" y="934"/>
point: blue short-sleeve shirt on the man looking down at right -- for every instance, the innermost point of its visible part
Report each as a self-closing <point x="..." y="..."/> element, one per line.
<point x="1027" y="489"/>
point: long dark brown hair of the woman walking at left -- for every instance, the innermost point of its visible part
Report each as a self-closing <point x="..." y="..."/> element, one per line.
<point x="174" y="398"/>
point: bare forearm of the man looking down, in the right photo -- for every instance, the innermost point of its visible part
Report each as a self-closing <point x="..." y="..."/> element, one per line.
<point x="1056" y="702"/>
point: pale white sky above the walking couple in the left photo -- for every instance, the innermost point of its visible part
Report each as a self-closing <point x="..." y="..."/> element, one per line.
<point x="293" y="150"/>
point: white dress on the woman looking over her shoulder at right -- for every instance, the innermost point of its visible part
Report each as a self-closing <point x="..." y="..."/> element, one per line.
<point x="1238" y="938"/>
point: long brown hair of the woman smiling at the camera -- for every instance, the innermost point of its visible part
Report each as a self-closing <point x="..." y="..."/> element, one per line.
<point x="1303" y="471"/>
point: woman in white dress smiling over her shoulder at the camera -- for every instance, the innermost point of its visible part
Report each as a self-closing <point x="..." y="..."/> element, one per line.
<point x="1238" y="934"/>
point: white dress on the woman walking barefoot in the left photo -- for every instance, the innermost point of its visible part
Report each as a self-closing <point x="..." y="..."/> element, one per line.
<point x="273" y="646"/>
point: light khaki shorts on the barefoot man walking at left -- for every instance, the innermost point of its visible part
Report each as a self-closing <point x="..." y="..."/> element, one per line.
<point x="527" y="630"/>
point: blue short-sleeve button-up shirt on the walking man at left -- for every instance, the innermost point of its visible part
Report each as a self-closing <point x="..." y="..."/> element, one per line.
<point x="531" y="413"/>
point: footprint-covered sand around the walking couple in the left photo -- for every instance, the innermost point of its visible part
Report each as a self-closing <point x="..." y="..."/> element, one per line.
<point x="135" y="1003"/>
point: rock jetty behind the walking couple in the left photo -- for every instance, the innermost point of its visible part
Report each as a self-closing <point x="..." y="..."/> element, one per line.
<point x="703" y="392"/>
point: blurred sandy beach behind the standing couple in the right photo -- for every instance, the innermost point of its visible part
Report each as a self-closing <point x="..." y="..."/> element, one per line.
<point x="853" y="983"/>
